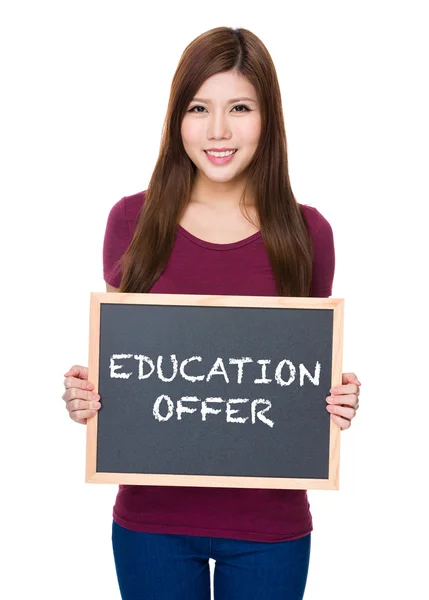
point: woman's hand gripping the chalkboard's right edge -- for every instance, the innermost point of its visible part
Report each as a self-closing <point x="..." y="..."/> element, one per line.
<point x="344" y="400"/>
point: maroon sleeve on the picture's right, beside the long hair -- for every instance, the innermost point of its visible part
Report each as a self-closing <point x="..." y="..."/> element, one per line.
<point x="323" y="258"/>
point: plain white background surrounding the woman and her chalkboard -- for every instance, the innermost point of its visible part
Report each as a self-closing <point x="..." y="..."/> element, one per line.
<point x="85" y="88"/>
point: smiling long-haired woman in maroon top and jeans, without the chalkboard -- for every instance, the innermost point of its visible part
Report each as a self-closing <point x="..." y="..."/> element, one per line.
<point x="218" y="217"/>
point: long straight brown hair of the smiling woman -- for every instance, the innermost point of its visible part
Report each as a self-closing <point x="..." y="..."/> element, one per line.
<point x="283" y="228"/>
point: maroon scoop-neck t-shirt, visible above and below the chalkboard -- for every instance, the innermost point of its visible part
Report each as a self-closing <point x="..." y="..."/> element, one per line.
<point x="199" y="267"/>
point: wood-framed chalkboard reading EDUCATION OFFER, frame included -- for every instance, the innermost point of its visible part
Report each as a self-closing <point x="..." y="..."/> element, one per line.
<point x="214" y="390"/>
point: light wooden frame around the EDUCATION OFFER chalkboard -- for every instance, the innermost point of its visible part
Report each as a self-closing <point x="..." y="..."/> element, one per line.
<point x="97" y="299"/>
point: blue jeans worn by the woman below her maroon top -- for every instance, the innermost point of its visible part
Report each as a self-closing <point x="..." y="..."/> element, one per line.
<point x="152" y="566"/>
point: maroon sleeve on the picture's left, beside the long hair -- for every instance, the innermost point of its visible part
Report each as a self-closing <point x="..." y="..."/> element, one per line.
<point x="116" y="242"/>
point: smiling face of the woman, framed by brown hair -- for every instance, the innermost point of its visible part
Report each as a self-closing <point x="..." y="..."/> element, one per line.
<point x="224" y="114"/>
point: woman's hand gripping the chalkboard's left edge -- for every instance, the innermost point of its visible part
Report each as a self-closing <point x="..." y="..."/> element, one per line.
<point x="81" y="402"/>
